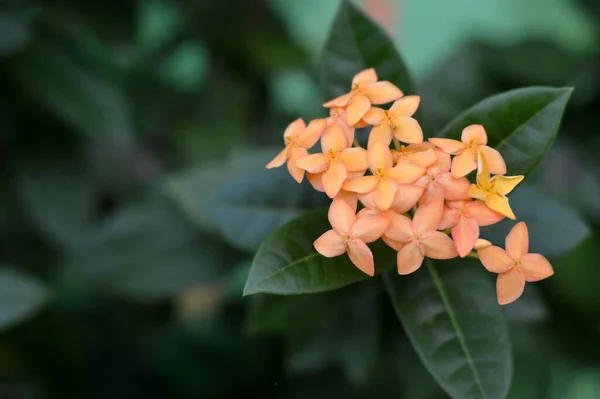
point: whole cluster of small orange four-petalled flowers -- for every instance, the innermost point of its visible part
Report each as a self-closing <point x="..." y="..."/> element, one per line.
<point x="416" y="197"/>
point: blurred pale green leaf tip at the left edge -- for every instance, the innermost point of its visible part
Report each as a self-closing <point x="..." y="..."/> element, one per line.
<point x="20" y="297"/>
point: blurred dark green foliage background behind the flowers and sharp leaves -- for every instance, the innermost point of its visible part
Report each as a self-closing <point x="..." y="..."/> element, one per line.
<point x="126" y="130"/>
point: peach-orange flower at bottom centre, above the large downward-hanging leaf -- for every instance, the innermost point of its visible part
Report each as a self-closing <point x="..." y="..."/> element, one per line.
<point x="419" y="237"/>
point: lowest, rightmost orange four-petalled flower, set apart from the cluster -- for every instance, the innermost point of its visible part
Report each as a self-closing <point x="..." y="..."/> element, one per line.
<point x="514" y="266"/>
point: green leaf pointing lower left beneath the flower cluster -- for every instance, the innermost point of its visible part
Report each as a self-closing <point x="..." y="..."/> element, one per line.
<point x="287" y="263"/>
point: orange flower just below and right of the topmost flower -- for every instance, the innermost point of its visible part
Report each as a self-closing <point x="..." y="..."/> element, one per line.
<point x="395" y="123"/>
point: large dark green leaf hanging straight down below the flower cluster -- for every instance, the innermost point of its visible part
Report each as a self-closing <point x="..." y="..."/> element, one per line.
<point x="450" y="313"/>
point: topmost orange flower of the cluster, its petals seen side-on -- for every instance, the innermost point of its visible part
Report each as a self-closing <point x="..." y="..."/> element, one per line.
<point x="366" y="90"/>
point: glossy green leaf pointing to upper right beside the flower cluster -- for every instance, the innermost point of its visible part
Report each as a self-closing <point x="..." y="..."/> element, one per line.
<point x="521" y="124"/>
